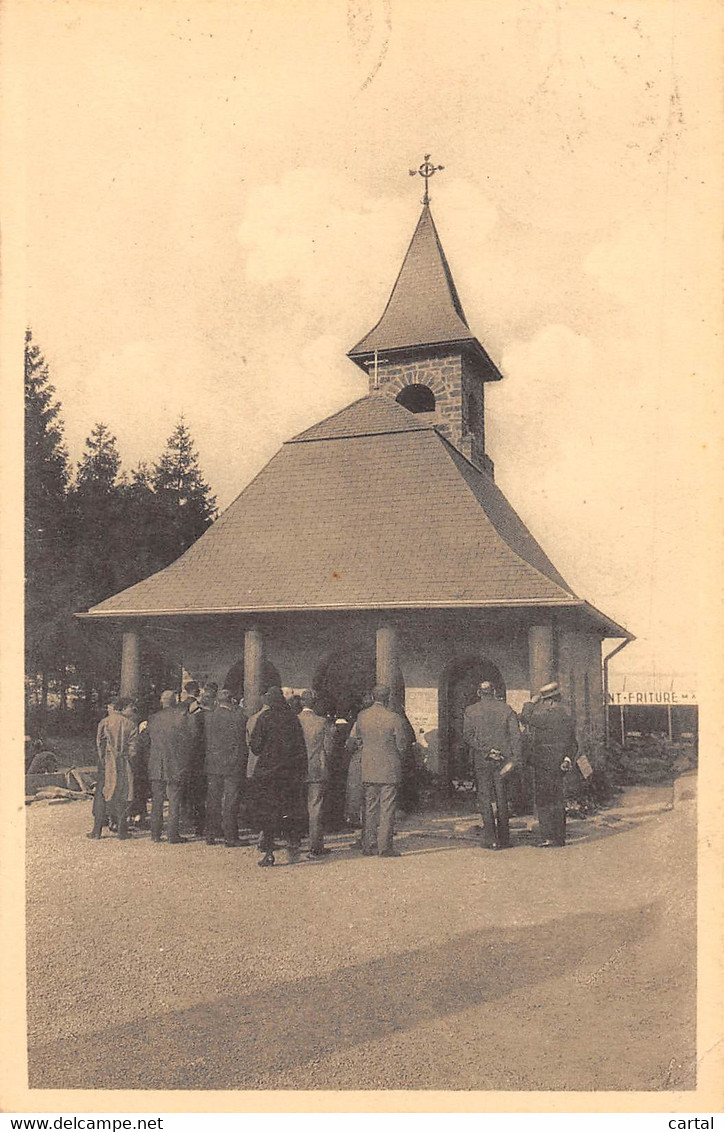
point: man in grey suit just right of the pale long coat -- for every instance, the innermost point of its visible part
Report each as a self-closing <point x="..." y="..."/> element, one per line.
<point x="173" y="735"/>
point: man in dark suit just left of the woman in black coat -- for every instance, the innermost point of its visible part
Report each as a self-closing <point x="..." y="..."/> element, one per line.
<point x="226" y="766"/>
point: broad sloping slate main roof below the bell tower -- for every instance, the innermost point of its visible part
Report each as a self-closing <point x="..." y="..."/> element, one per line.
<point x="372" y="509"/>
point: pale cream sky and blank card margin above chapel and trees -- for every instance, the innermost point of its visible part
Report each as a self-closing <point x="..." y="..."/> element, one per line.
<point x="218" y="202"/>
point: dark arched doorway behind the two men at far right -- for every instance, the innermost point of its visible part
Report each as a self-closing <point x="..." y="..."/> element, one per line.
<point x="459" y="689"/>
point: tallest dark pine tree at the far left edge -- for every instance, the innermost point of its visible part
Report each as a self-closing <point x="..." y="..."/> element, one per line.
<point x="47" y="520"/>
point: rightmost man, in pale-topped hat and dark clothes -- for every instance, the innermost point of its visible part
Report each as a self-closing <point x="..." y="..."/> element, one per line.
<point x="554" y="750"/>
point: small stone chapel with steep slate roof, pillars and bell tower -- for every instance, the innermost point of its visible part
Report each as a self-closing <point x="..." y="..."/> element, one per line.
<point x="375" y="547"/>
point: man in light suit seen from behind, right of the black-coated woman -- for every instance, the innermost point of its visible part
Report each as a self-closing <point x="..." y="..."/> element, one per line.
<point x="383" y="736"/>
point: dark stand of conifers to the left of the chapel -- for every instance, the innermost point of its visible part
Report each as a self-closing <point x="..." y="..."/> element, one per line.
<point x="92" y="530"/>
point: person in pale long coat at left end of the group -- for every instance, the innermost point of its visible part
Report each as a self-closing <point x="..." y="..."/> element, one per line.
<point x="117" y="741"/>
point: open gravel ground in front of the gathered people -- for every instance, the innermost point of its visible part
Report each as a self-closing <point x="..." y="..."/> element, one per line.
<point x="156" y="966"/>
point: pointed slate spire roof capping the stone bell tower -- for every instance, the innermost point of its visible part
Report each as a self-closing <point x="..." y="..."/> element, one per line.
<point x="425" y="307"/>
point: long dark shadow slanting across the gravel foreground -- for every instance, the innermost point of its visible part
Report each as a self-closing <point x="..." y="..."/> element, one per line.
<point x="242" y="1042"/>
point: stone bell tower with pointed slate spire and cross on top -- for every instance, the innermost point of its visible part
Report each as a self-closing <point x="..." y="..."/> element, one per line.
<point x="423" y="351"/>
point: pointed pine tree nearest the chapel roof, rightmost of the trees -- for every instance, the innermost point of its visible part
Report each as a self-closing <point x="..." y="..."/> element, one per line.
<point x="187" y="505"/>
